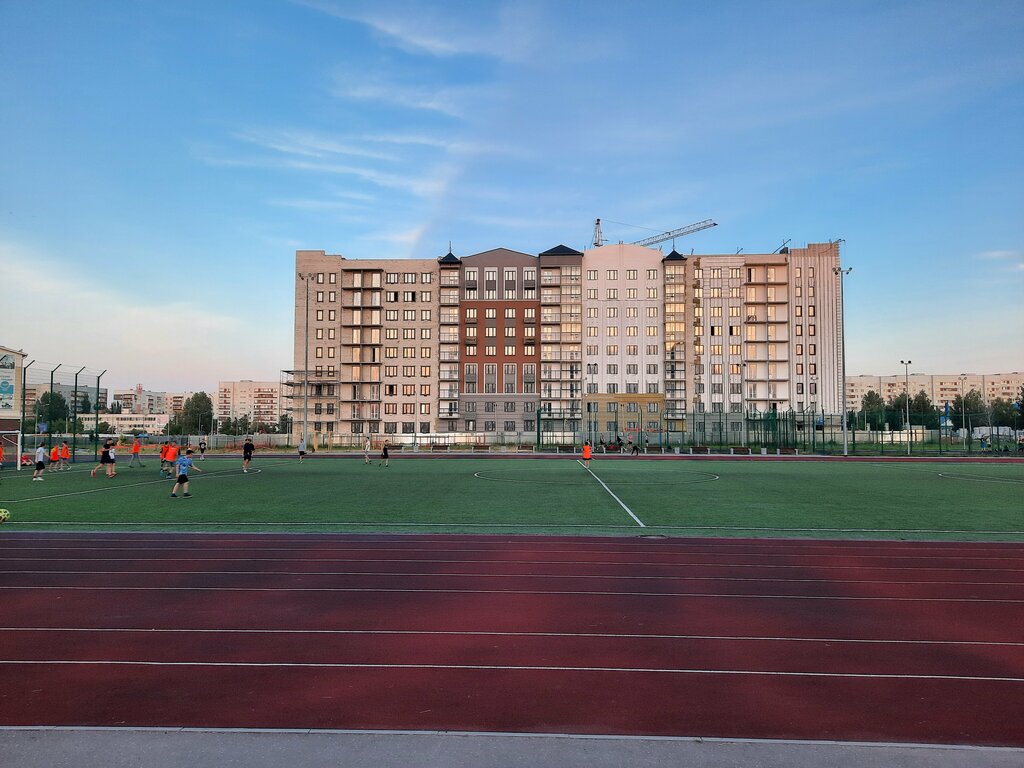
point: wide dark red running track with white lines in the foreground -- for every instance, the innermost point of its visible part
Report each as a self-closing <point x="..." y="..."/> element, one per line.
<point x="726" y="638"/>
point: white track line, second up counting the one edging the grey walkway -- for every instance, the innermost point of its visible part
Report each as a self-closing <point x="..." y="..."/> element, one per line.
<point x="511" y="668"/>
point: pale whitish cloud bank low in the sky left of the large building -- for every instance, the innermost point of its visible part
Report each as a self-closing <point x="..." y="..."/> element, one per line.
<point x="138" y="333"/>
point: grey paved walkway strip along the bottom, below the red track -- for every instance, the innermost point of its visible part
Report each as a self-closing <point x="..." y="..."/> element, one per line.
<point x="87" y="748"/>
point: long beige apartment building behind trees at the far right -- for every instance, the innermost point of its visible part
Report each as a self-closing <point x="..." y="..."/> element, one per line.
<point x="942" y="389"/>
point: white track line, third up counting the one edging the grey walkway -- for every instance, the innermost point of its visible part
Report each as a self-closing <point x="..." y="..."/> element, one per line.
<point x="571" y="635"/>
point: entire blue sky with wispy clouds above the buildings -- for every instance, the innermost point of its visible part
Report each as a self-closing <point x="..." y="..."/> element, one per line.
<point x="161" y="162"/>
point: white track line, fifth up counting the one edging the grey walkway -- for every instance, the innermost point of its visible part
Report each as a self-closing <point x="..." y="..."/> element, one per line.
<point x="437" y="575"/>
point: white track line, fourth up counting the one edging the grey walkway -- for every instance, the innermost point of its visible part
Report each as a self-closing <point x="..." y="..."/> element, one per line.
<point x="574" y="593"/>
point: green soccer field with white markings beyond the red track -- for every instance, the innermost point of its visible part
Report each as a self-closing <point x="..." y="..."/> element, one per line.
<point x="622" y="497"/>
